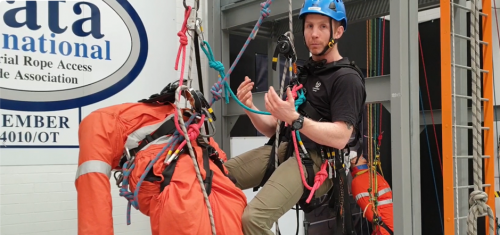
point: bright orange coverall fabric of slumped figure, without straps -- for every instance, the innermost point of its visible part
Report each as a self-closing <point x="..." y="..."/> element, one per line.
<point x="103" y="135"/>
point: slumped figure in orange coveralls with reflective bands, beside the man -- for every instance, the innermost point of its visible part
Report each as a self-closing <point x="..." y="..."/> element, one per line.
<point x="172" y="198"/>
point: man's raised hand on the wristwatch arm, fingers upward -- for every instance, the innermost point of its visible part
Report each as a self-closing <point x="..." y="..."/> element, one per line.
<point x="282" y="110"/>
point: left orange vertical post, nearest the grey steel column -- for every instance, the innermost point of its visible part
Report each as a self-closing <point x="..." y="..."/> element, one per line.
<point x="447" y="121"/>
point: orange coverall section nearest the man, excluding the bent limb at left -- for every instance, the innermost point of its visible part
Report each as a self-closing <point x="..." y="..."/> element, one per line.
<point x="180" y="208"/>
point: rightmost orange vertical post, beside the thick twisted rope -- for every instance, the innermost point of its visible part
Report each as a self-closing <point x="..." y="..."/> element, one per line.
<point x="489" y="138"/>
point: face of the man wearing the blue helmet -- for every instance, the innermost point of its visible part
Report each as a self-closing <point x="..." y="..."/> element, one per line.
<point x="317" y="32"/>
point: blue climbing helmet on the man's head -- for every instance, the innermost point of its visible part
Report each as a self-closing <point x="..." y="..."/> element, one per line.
<point x="334" y="9"/>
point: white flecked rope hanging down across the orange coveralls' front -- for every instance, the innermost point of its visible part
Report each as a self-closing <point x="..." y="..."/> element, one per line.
<point x="193" y="156"/>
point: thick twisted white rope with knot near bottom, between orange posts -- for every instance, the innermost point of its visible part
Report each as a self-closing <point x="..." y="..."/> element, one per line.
<point x="478" y="197"/>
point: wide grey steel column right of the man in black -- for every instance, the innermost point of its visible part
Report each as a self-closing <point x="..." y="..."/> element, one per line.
<point x="405" y="132"/>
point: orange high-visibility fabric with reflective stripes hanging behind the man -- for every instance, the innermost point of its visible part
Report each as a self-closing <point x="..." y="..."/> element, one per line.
<point x="360" y="184"/>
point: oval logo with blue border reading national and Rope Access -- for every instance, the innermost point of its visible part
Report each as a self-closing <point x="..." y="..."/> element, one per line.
<point x="56" y="55"/>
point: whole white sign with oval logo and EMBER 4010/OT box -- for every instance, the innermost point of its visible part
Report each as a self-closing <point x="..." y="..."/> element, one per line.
<point x="60" y="60"/>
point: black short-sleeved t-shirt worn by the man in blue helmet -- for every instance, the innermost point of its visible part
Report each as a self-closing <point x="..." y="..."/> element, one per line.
<point x="338" y="94"/>
